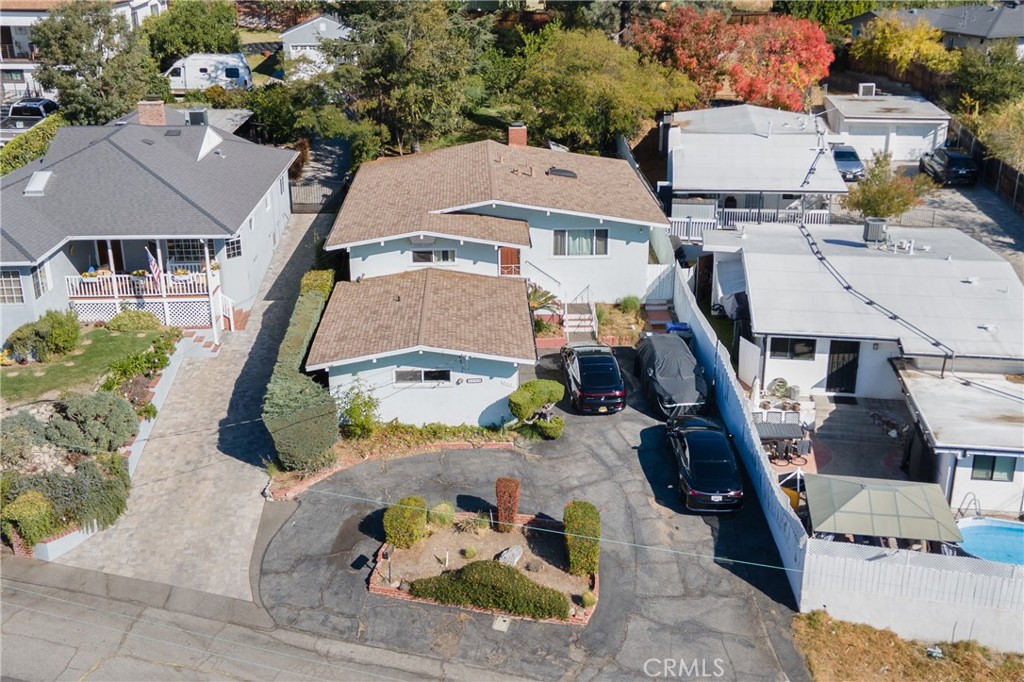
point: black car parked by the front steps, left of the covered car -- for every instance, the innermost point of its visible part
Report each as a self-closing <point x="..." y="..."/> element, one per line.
<point x="593" y="378"/>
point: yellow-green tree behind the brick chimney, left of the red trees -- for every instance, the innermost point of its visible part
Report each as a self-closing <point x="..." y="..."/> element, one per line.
<point x="583" y="90"/>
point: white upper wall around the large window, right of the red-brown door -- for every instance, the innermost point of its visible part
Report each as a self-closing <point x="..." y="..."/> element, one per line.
<point x="622" y="273"/>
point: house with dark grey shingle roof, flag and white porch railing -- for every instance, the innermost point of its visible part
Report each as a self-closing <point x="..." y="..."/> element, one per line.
<point x="78" y="223"/>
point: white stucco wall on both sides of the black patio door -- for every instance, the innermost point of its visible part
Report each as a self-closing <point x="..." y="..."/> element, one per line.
<point x="876" y="377"/>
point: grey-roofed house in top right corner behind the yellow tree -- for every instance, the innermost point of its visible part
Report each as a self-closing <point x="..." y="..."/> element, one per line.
<point x="963" y="26"/>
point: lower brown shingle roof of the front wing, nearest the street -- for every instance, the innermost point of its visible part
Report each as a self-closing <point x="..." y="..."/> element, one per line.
<point x="434" y="308"/>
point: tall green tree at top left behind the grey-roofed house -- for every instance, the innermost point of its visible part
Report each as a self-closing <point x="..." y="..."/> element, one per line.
<point x="95" y="61"/>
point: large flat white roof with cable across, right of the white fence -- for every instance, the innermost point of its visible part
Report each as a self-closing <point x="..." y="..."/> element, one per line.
<point x="953" y="290"/>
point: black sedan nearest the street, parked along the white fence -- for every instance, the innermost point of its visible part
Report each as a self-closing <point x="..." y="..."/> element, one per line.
<point x="709" y="474"/>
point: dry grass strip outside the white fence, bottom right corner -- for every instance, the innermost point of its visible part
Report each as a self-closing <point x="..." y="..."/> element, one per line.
<point x="839" y="651"/>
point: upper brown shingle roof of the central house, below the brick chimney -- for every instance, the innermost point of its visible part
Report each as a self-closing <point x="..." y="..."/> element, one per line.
<point x="391" y="197"/>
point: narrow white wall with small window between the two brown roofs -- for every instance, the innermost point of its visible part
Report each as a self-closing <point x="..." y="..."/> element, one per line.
<point x="396" y="257"/>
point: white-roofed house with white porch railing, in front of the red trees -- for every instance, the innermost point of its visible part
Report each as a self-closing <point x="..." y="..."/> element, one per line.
<point x="749" y="164"/>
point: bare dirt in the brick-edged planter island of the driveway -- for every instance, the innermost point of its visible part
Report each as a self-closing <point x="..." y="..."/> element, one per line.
<point x="541" y="550"/>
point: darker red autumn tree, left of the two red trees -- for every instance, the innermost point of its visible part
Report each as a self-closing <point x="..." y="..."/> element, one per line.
<point x="699" y="44"/>
